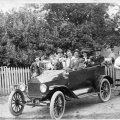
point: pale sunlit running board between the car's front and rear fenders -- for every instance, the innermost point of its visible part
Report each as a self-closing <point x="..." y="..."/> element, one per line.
<point x="83" y="91"/>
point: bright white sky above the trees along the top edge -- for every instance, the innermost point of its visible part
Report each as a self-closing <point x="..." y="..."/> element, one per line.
<point x="6" y="5"/>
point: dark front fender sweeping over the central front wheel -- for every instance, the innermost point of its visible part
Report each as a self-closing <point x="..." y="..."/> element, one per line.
<point x="64" y="89"/>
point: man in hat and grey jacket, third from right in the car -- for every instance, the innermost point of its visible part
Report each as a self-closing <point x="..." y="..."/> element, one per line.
<point x="78" y="62"/>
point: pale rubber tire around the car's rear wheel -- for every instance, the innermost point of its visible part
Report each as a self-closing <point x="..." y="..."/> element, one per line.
<point x="99" y="94"/>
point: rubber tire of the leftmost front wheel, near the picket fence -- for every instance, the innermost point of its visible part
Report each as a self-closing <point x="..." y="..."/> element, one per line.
<point x="10" y="101"/>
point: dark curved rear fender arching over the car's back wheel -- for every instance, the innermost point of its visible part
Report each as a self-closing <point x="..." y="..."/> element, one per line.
<point x="99" y="79"/>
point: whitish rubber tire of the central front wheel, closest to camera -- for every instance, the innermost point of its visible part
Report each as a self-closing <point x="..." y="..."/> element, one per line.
<point x="52" y="105"/>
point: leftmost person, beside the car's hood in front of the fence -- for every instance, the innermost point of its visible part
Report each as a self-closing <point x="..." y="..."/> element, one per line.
<point x="36" y="67"/>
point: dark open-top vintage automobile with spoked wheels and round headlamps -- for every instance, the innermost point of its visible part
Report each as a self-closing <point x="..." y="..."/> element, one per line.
<point x="55" y="87"/>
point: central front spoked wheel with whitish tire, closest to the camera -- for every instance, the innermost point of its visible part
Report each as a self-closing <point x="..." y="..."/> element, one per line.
<point x="57" y="105"/>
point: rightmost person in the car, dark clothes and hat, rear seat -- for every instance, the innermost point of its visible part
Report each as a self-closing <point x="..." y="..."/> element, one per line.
<point x="97" y="59"/>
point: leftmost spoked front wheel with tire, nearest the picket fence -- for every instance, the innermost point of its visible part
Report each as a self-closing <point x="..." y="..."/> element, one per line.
<point x="16" y="100"/>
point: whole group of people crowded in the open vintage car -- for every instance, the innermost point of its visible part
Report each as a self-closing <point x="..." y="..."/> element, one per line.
<point x="75" y="60"/>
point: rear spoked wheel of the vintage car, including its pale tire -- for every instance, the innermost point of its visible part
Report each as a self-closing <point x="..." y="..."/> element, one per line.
<point x="105" y="90"/>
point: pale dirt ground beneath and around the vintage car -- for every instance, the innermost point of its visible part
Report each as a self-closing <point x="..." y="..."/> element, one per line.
<point x="85" y="108"/>
